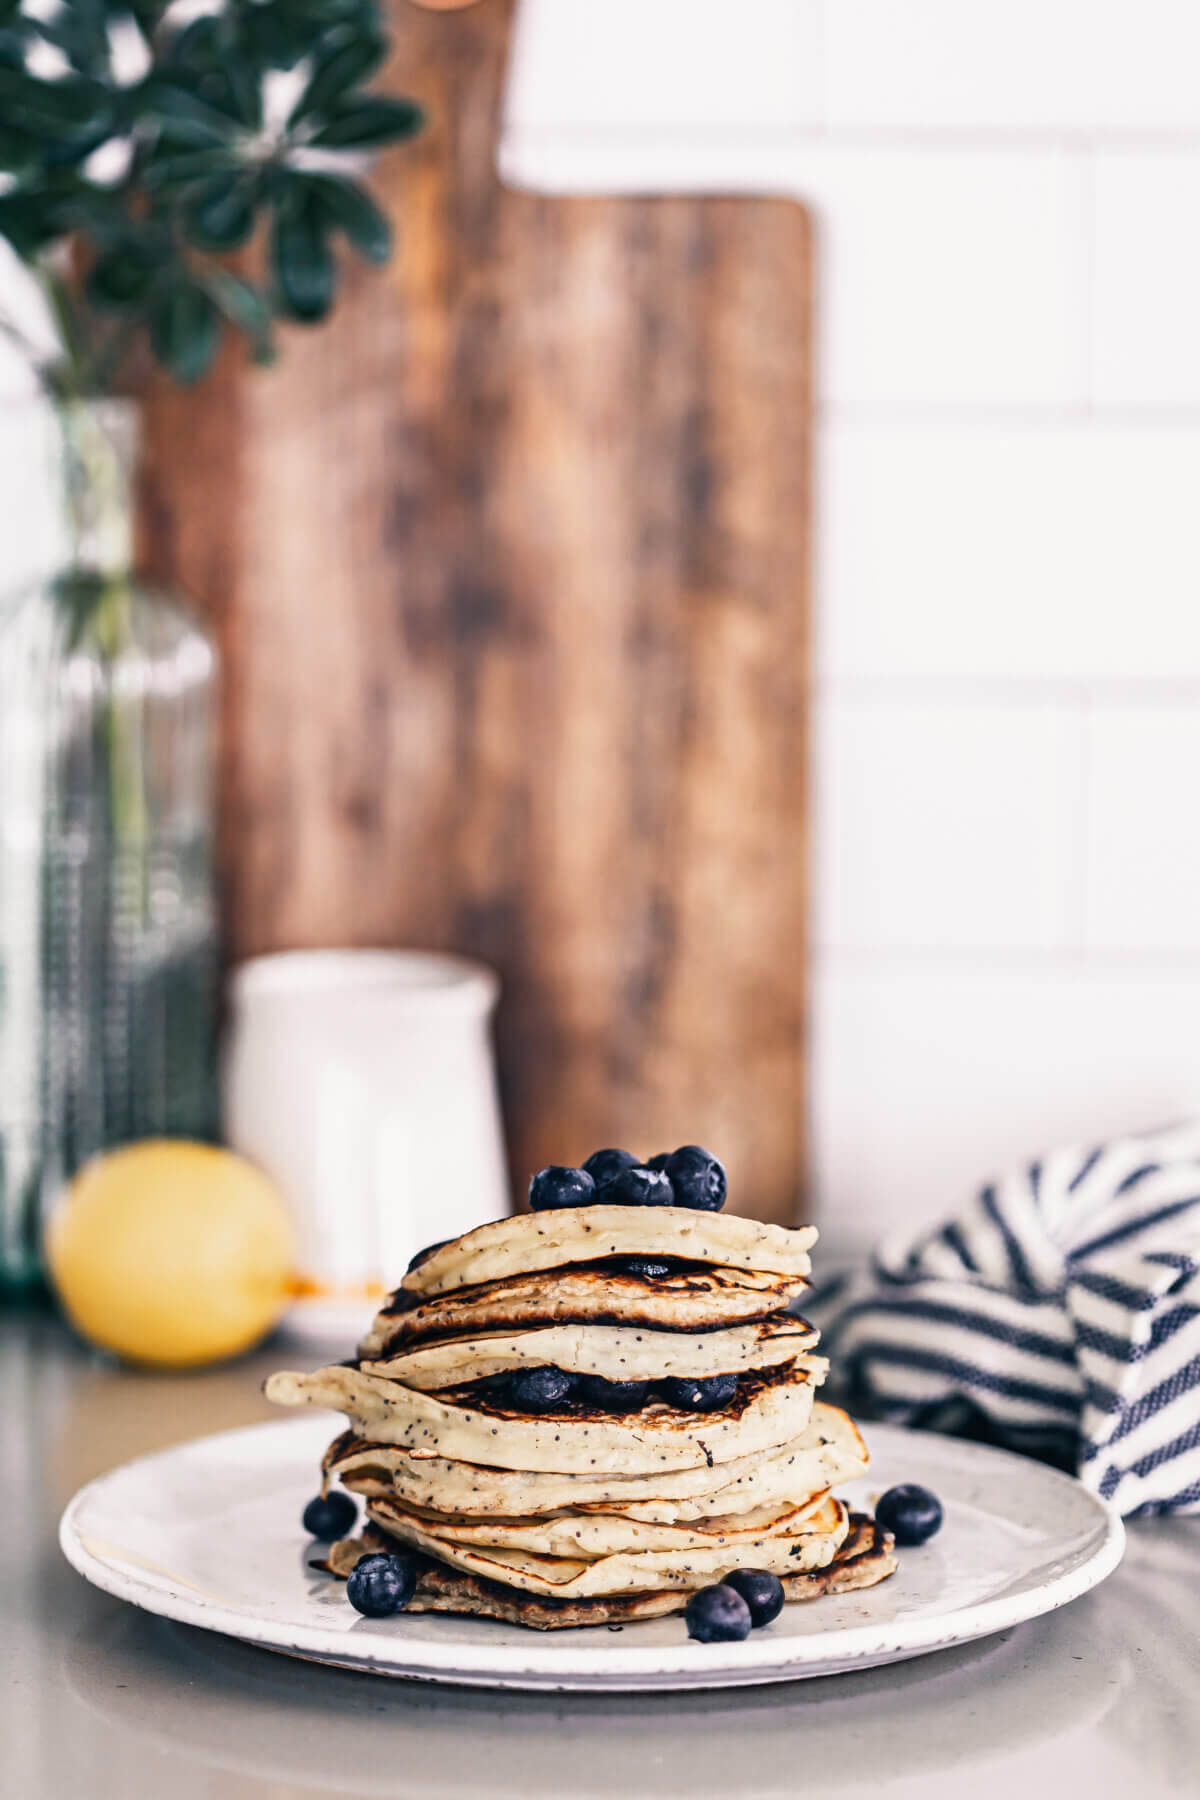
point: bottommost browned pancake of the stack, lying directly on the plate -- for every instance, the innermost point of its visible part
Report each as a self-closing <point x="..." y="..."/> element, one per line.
<point x="864" y="1560"/>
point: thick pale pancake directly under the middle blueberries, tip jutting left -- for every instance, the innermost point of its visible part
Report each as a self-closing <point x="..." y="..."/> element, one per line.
<point x="769" y="1410"/>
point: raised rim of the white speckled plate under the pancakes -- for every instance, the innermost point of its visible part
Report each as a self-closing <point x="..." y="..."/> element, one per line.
<point x="510" y="1657"/>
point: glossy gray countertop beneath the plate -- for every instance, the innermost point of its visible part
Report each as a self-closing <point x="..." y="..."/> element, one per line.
<point x="102" y="1702"/>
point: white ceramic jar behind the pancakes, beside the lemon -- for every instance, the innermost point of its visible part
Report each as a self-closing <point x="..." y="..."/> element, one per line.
<point x="364" y="1084"/>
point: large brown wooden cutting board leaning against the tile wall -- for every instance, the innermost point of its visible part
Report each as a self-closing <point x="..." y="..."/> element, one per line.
<point x="510" y="573"/>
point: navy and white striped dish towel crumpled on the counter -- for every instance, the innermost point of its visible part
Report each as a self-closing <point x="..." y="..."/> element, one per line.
<point x="1059" y="1313"/>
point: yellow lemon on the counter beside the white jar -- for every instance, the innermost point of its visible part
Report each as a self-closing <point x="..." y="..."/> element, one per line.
<point x="172" y="1254"/>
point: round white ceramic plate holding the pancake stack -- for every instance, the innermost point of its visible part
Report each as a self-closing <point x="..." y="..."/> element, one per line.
<point x="211" y="1534"/>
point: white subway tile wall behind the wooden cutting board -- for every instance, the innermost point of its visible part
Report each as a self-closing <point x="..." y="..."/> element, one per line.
<point x="1008" y="534"/>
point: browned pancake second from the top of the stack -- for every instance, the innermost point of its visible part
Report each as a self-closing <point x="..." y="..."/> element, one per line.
<point x="690" y="1300"/>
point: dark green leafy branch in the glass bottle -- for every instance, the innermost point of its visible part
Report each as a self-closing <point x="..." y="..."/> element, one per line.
<point x="150" y="148"/>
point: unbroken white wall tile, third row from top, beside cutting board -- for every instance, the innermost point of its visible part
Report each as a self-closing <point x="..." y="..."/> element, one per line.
<point x="980" y="550"/>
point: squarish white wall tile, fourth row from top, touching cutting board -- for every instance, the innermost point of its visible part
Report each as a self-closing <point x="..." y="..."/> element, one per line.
<point x="985" y="793"/>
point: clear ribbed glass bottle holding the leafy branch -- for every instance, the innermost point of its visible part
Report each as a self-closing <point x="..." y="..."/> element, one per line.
<point x="107" y="854"/>
